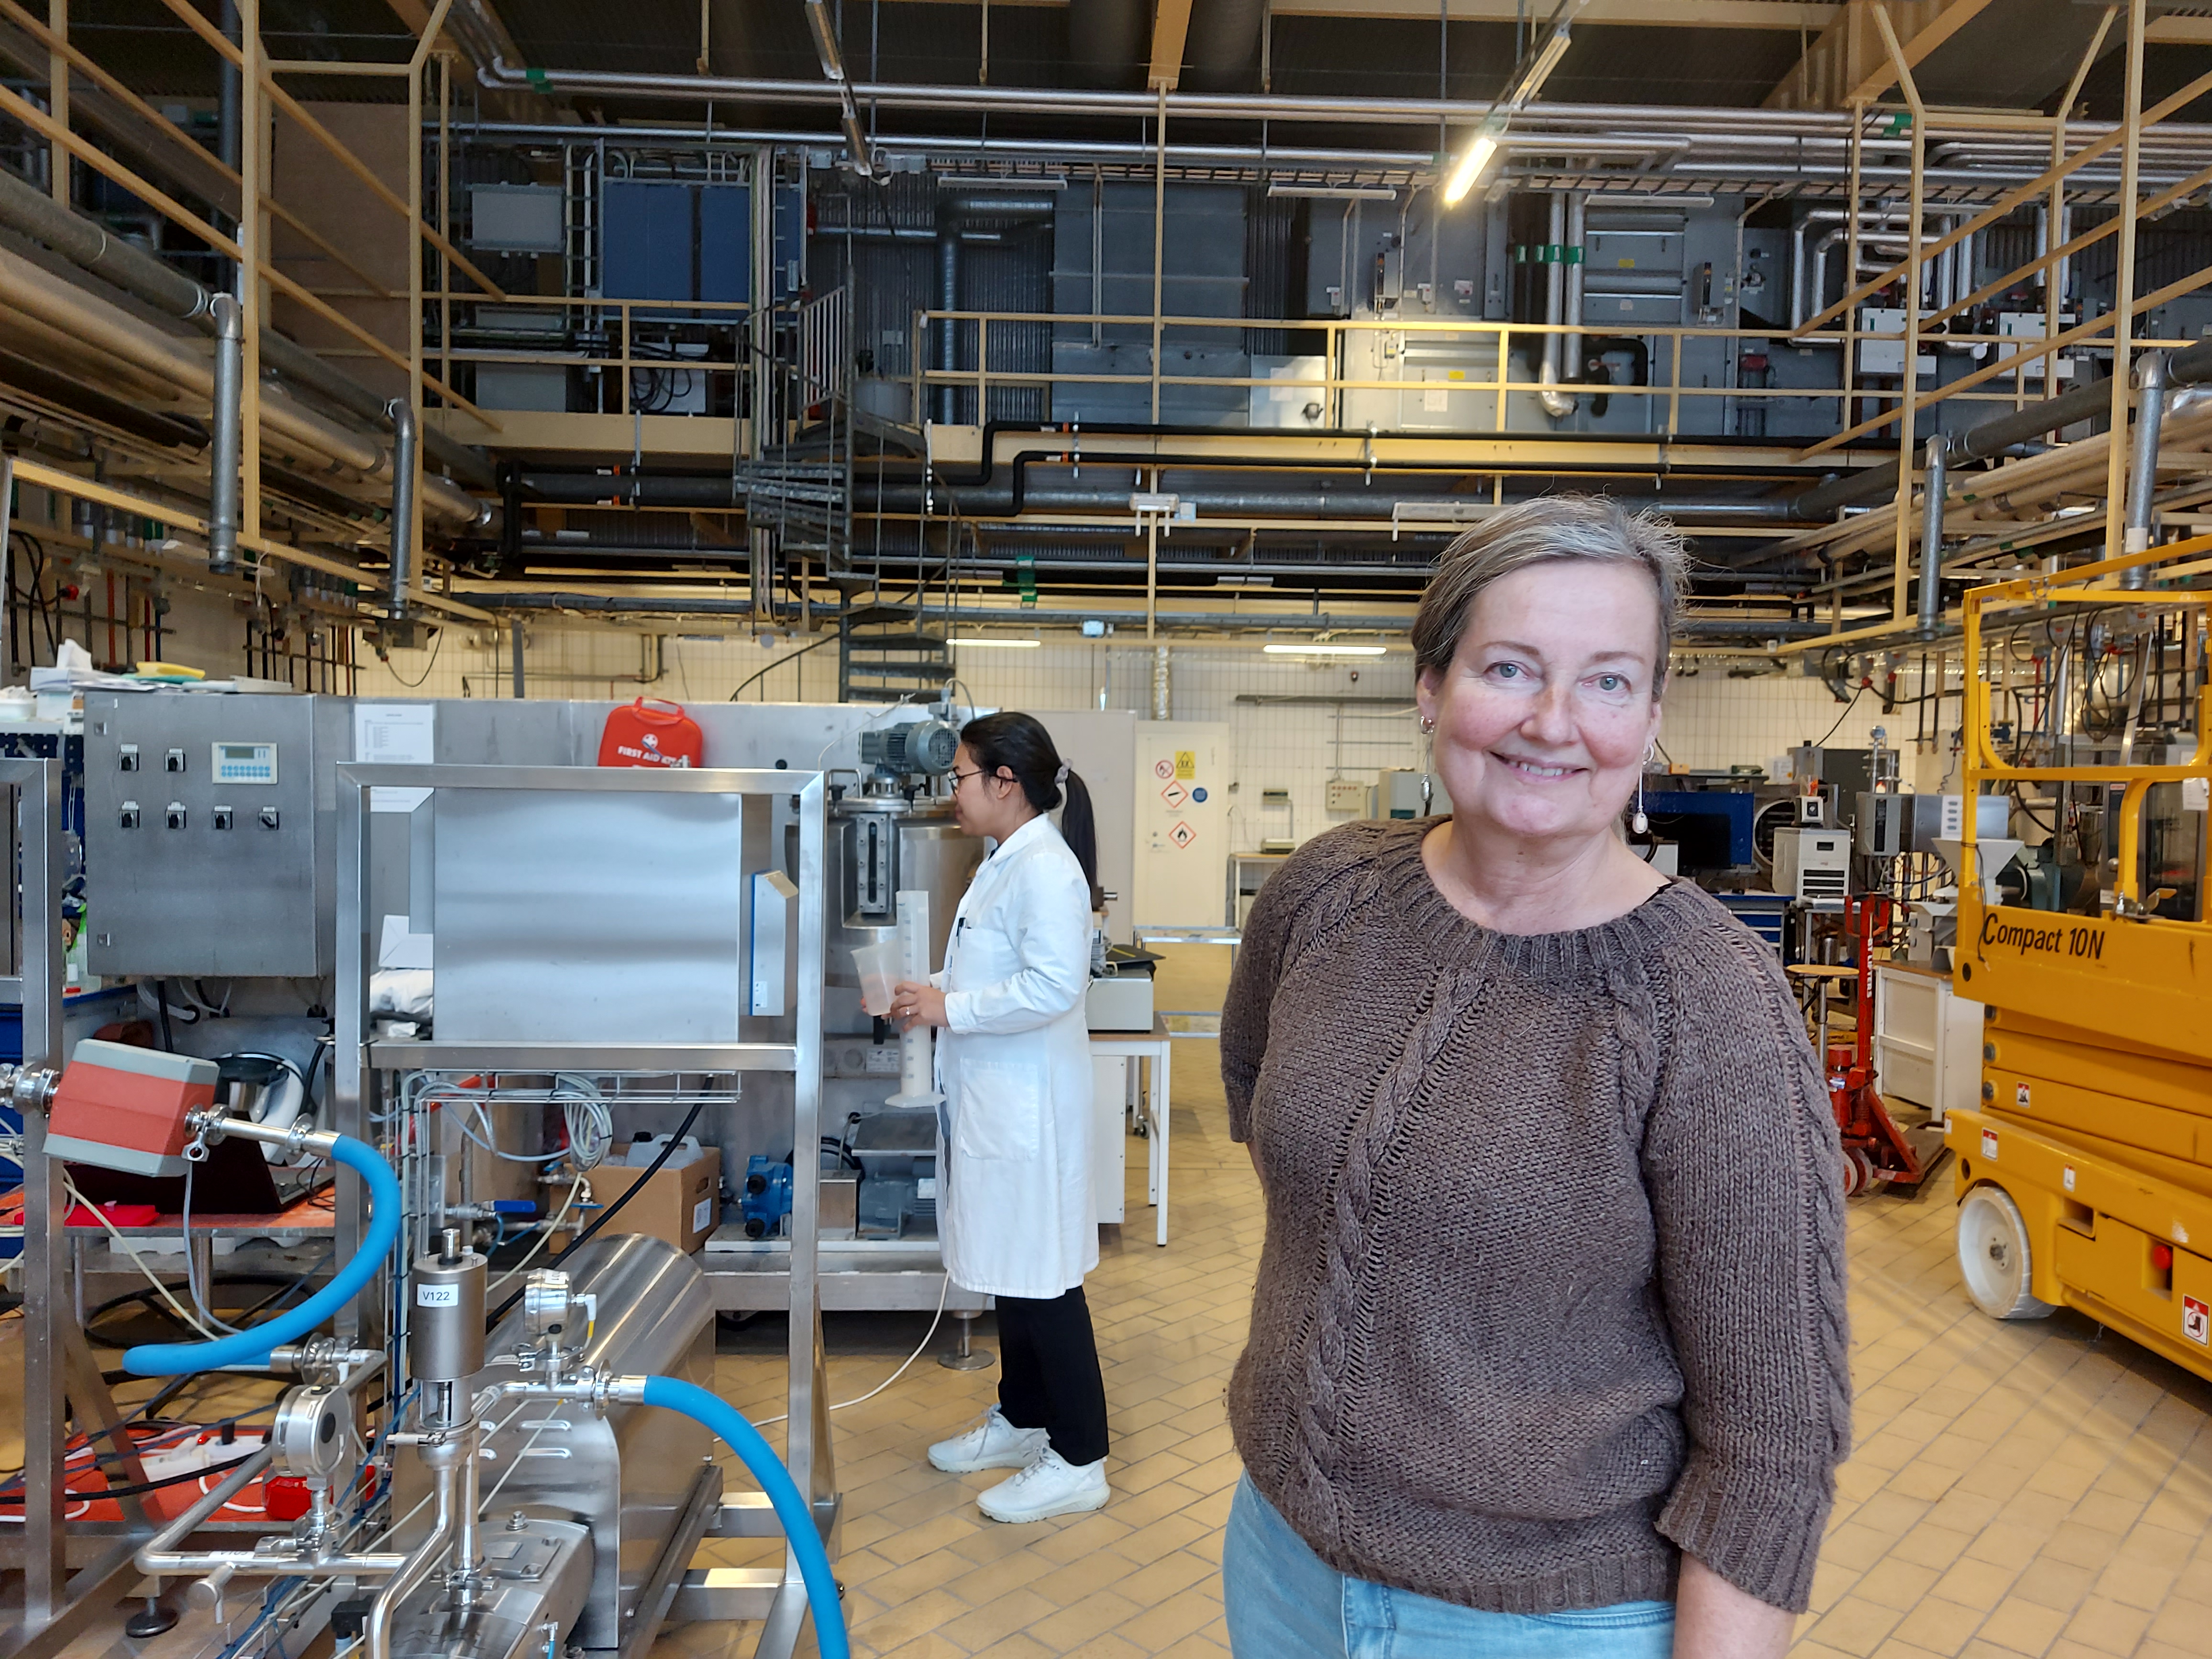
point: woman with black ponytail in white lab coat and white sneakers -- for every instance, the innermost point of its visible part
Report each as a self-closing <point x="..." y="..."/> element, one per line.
<point x="1014" y="1204"/>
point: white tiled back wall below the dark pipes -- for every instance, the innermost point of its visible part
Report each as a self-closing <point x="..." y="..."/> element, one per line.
<point x="1348" y="729"/>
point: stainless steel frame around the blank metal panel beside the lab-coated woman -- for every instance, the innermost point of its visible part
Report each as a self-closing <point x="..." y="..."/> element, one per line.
<point x="724" y="1594"/>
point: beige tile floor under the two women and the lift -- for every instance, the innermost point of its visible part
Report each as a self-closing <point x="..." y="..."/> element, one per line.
<point x="2018" y="1490"/>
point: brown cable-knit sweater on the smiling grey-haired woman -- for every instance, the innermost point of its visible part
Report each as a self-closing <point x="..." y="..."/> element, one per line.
<point x="1554" y="1269"/>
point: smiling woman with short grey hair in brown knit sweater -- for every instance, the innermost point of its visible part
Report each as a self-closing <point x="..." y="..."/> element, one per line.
<point x="1547" y="1344"/>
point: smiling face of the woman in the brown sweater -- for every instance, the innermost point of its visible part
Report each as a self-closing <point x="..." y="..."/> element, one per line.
<point x="1550" y="705"/>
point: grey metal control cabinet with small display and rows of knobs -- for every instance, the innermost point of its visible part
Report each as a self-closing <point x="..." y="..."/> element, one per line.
<point x="209" y="833"/>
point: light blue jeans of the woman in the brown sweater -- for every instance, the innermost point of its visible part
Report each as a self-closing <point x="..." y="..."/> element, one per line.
<point x="1284" y="1603"/>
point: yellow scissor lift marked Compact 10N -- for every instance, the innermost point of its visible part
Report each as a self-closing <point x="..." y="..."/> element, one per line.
<point x="2085" y="1178"/>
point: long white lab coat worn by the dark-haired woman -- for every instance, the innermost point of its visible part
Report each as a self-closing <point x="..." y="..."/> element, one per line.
<point x="1016" y="1215"/>
